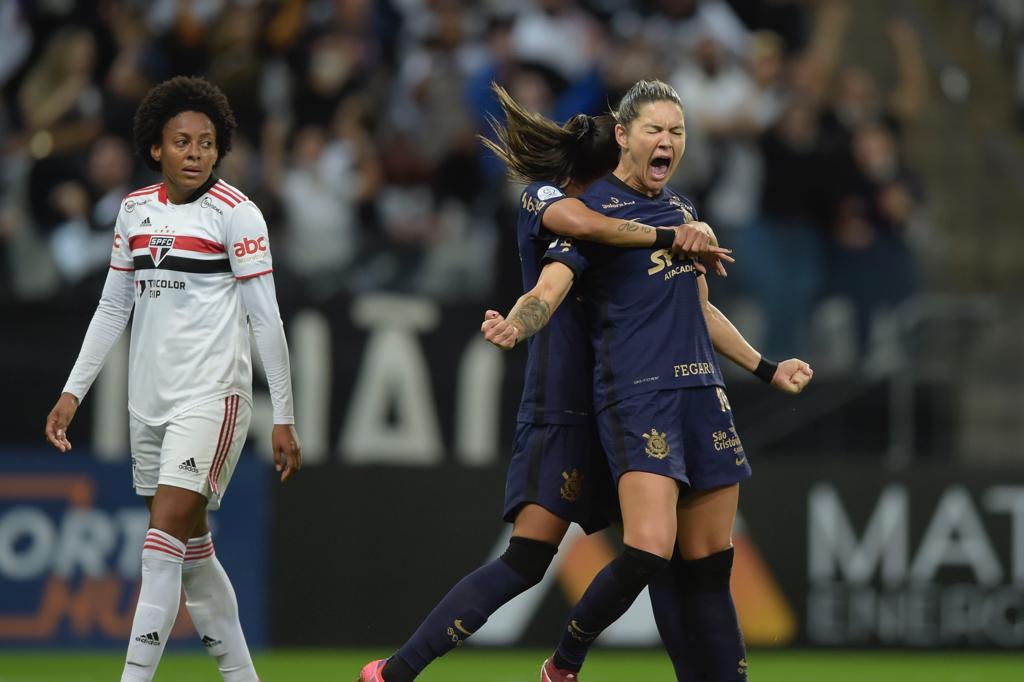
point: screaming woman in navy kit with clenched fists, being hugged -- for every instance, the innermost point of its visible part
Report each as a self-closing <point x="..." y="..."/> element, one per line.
<point x="663" y="415"/>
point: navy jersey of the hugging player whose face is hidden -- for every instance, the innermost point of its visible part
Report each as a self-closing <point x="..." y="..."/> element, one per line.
<point x="560" y="363"/>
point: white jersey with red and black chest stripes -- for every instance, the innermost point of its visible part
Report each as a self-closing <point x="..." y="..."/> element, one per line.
<point x="190" y="338"/>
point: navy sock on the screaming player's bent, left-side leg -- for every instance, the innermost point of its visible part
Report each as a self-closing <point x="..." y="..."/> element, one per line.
<point x="610" y="595"/>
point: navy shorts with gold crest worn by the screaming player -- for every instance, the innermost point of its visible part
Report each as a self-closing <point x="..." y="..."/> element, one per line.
<point x="687" y="435"/>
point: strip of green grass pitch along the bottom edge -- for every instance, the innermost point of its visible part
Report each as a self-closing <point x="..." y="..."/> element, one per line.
<point x="518" y="666"/>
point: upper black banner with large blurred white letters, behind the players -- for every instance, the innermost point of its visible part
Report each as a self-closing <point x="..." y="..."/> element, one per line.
<point x="400" y="380"/>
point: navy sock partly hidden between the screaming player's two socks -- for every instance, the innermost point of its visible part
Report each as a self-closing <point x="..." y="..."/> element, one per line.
<point x="666" y="600"/>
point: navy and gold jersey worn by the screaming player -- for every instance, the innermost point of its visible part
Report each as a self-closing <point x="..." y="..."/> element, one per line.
<point x="648" y="329"/>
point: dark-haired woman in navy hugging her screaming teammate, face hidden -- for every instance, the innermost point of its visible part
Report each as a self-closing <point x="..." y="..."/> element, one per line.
<point x="558" y="475"/>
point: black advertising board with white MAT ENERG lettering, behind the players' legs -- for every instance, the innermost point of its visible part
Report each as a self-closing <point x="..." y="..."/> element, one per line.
<point x="828" y="556"/>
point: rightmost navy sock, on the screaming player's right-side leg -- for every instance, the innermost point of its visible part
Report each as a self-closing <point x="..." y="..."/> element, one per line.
<point x="710" y="615"/>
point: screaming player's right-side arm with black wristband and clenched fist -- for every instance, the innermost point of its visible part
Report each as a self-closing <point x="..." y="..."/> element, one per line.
<point x="790" y="376"/>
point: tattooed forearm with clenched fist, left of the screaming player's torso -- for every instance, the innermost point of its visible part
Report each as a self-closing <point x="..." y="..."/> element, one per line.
<point x="533" y="311"/>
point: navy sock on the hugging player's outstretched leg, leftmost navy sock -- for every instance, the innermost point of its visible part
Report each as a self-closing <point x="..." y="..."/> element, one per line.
<point x="468" y="606"/>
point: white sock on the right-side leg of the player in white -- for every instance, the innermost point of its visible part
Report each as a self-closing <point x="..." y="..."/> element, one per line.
<point x="215" y="610"/>
